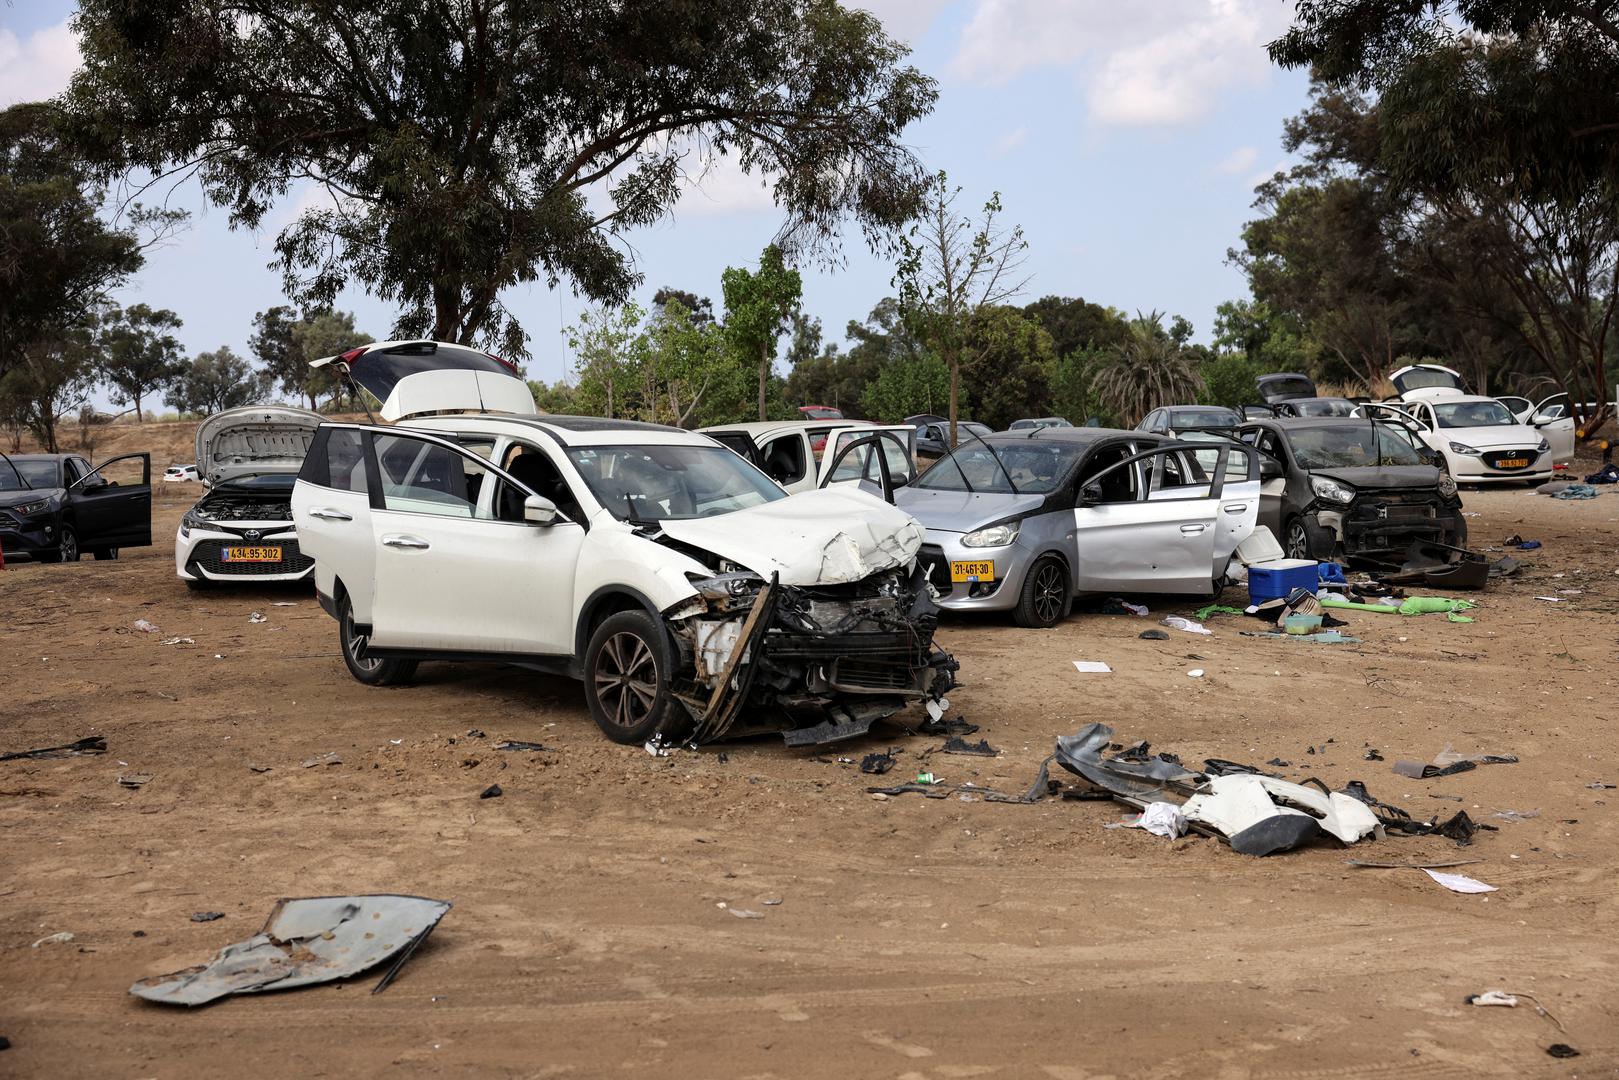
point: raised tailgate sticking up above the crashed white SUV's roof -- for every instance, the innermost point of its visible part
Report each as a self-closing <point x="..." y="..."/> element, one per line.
<point x="423" y="378"/>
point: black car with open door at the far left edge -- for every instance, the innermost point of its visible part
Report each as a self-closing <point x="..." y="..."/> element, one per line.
<point x="57" y="506"/>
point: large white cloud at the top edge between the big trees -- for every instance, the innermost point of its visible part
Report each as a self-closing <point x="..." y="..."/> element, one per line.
<point x="1165" y="62"/>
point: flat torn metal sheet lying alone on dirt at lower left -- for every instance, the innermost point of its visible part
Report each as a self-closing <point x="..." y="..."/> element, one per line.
<point x="305" y="942"/>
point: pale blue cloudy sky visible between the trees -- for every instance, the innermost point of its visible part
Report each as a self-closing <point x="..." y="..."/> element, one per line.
<point x="1126" y="138"/>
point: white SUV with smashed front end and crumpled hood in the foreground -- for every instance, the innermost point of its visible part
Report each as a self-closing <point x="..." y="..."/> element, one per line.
<point x="684" y="587"/>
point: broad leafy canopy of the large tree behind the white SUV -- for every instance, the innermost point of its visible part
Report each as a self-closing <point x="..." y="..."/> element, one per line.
<point x="477" y="147"/>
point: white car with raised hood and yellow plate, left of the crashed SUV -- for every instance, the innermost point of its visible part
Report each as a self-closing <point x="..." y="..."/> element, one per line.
<point x="242" y="529"/>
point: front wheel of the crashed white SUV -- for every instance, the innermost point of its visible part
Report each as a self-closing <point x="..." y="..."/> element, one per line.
<point x="627" y="670"/>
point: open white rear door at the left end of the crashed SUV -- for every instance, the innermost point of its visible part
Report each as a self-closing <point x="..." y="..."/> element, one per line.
<point x="333" y="514"/>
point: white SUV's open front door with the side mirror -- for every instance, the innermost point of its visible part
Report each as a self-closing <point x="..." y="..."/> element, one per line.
<point x="457" y="568"/>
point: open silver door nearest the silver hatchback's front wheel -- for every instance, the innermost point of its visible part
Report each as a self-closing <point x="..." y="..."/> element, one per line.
<point x="1131" y="540"/>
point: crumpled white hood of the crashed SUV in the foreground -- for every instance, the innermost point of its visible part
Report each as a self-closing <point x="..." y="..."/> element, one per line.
<point x="830" y="537"/>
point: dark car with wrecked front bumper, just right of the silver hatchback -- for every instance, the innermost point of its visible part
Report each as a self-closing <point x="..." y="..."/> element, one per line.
<point x="1341" y="488"/>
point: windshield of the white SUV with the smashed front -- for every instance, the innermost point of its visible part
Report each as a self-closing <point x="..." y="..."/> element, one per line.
<point x="660" y="483"/>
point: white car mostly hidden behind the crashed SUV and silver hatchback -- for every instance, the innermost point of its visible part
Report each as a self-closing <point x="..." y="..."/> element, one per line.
<point x="794" y="453"/>
